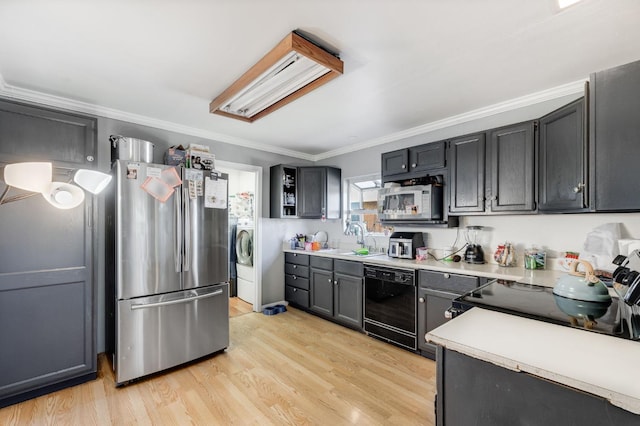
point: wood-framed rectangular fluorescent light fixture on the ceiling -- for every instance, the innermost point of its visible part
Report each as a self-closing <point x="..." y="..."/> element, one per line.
<point x="293" y="68"/>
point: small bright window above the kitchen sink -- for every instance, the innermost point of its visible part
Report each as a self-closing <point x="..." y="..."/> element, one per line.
<point x="362" y="204"/>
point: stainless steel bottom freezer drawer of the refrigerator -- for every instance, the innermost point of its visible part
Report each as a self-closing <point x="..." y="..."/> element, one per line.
<point x="158" y="332"/>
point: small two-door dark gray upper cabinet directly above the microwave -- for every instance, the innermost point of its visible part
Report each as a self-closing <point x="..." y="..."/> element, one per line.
<point x="404" y="163"/>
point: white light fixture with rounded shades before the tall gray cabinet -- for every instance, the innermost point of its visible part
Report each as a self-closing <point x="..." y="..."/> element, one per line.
<point x="36" y="177"/>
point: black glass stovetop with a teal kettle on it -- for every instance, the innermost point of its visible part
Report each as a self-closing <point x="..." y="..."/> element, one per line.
<point x="539" y="303"/>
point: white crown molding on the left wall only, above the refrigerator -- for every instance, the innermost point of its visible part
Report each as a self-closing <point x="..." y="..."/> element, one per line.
<point x="28" y="95"/>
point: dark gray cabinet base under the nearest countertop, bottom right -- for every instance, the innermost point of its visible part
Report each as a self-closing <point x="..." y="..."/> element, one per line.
<point x="475" y="392"/>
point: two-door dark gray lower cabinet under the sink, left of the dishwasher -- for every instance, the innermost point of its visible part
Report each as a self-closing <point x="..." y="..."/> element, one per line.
<point x="337" y="290"/>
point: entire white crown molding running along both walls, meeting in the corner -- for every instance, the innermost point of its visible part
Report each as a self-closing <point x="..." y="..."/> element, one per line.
<point x="14" y="92"/>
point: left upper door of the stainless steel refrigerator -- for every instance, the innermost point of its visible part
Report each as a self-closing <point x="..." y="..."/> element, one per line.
<point x="148" y="234"/>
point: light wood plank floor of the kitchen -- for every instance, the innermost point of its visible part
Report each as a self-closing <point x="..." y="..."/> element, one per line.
<point x="290" y="368"/>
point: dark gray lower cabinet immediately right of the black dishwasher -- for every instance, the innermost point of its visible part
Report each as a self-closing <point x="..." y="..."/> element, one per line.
<point x="436" y="290"/>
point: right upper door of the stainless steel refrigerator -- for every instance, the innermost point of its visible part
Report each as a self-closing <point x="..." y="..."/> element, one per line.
<point x="206" y="236"/>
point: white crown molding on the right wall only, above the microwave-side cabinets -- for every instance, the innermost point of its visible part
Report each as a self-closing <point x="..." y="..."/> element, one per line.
<point x="573" y="88"/>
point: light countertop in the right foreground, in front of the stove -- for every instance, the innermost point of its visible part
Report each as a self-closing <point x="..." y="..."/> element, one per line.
<point x="601" y="365"/>
